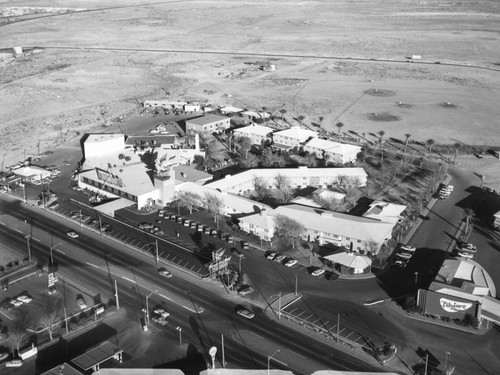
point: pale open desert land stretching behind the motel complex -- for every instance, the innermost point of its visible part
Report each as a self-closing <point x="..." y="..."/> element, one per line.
<point x="86" y="63"/>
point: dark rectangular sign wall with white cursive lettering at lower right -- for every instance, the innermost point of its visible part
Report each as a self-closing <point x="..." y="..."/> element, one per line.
<point x="445" y="305"/>
